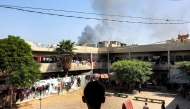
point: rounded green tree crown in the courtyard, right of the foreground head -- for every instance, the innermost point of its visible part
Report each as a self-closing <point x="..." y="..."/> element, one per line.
<point x="132" y="70"/>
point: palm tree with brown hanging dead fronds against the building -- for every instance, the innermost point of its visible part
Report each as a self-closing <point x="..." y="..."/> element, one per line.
<point x="66" y="49"/>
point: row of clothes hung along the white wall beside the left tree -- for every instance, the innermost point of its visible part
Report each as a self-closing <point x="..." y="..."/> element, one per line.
<point x="39" y="90"/>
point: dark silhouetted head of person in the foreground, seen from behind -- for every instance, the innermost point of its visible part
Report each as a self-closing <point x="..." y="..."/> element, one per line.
<point x="94" y="95"/>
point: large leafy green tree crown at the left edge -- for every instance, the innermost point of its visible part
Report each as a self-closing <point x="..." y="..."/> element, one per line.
<point x="16" y="56"/>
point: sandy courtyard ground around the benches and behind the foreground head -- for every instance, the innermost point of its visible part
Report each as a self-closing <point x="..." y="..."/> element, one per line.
<point x="73" y="100"/>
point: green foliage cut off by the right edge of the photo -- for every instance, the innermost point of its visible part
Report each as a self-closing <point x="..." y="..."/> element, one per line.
<point x="183" y="66"/>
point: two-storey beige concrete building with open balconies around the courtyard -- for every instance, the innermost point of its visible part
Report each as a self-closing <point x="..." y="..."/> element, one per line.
<point x="162" y="56"/>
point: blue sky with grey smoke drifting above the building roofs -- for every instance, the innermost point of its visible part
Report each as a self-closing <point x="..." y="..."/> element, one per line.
<point x="50" y="29"/>
